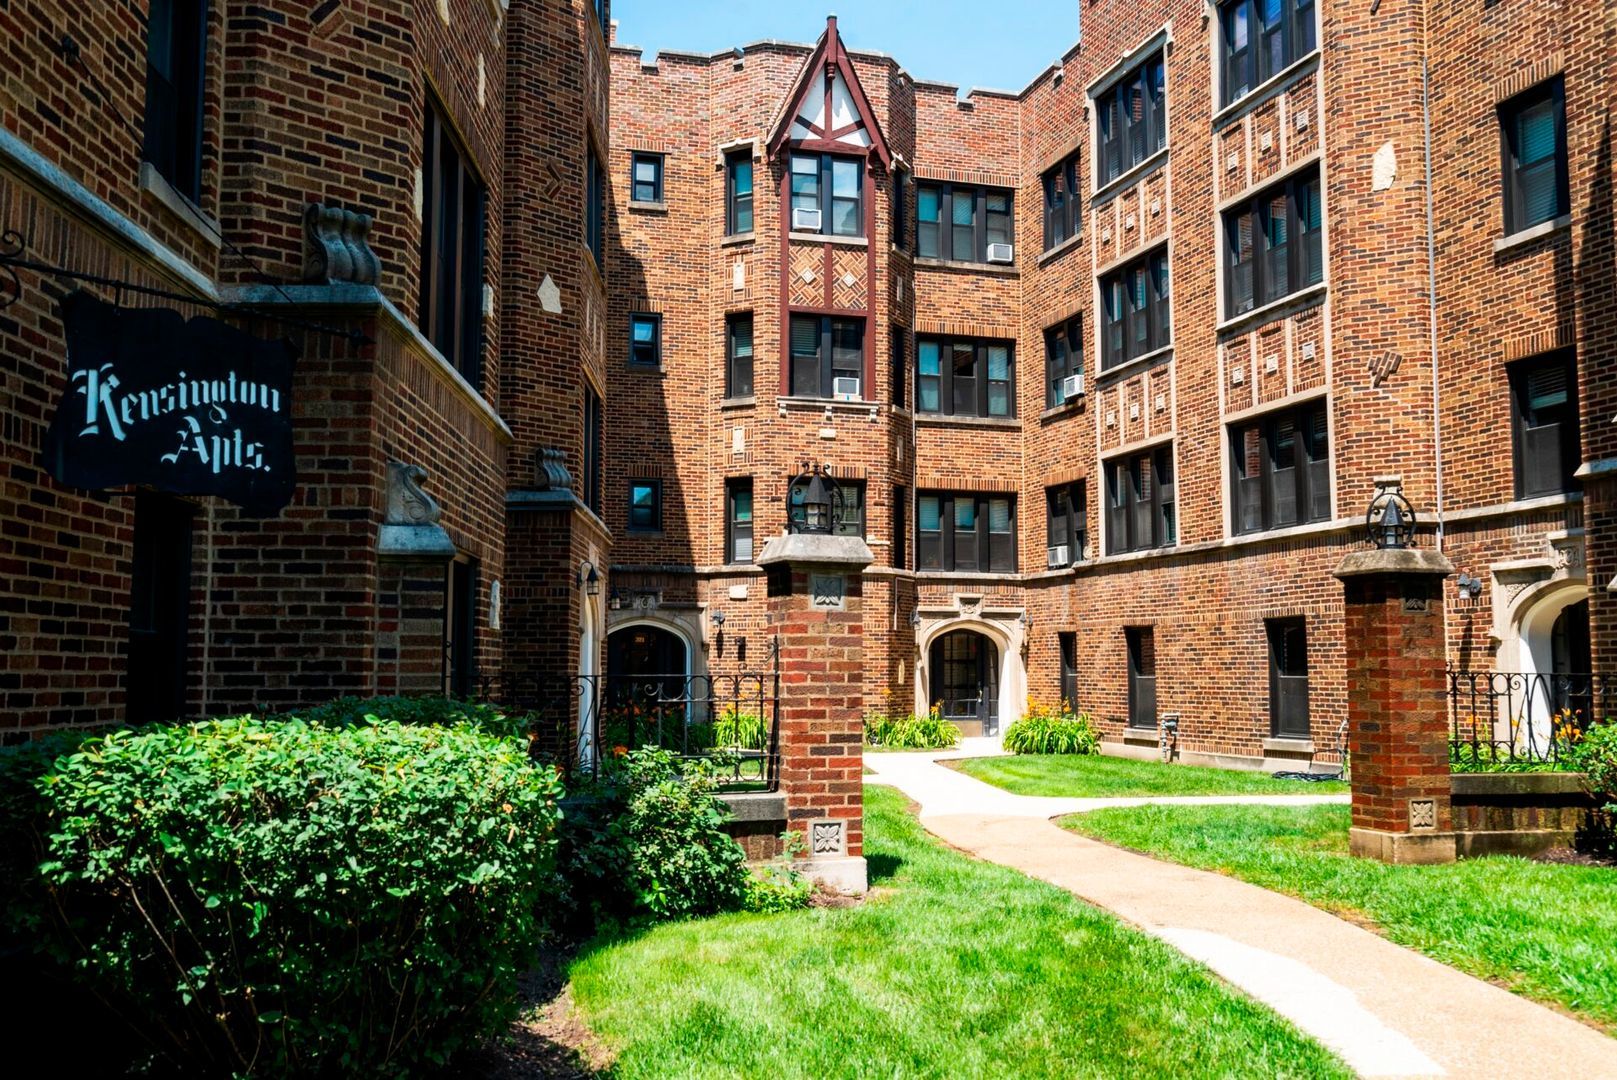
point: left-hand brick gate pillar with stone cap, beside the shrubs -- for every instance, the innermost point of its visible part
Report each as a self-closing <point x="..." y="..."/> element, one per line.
<point x="817" y="610"/>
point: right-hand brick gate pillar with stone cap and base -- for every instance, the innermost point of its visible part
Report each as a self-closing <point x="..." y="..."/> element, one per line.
<point x="1398" y="717"/>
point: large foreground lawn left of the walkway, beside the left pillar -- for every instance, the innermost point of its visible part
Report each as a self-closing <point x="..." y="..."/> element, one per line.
<point x="953" y="968"/>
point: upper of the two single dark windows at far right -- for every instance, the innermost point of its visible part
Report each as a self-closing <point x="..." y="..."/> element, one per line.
<point x="1534" y="137"/>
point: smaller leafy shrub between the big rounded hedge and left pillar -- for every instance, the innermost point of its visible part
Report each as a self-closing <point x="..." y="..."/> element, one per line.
<point x="648" y="843"/>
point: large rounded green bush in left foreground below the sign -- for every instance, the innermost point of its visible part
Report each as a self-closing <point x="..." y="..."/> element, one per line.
<point x="284" y="898"/>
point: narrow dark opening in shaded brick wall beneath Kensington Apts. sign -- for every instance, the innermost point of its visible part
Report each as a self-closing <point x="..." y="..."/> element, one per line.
<point x="159" y="609"/>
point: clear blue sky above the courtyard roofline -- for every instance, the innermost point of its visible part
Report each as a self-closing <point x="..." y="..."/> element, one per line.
<point x="948" y="41"/>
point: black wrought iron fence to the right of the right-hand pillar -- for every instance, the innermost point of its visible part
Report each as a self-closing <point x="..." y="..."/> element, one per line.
<point x="1498" y="717"/>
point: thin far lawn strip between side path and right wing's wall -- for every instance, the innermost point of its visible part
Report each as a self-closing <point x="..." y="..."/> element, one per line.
<point x="1092" y="775"/>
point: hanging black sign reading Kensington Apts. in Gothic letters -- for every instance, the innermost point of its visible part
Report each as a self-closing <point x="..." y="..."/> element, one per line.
<point x="185" y="407"/>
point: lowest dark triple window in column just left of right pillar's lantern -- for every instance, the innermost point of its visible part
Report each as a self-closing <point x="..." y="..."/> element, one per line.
<point x="1280" y="470"/>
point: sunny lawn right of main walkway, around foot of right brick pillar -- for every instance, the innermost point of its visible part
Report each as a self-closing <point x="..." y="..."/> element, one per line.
<point x="1540" y="929"/>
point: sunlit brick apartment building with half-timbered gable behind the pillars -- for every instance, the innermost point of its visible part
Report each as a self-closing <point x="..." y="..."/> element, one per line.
<point x="1110" y="366"/>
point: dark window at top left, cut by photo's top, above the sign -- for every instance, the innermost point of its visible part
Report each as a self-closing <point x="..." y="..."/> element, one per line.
<point x="175" y="62"/>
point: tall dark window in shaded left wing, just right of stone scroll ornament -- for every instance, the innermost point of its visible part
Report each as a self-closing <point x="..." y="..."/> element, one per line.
<point x="452" y="250"/>
